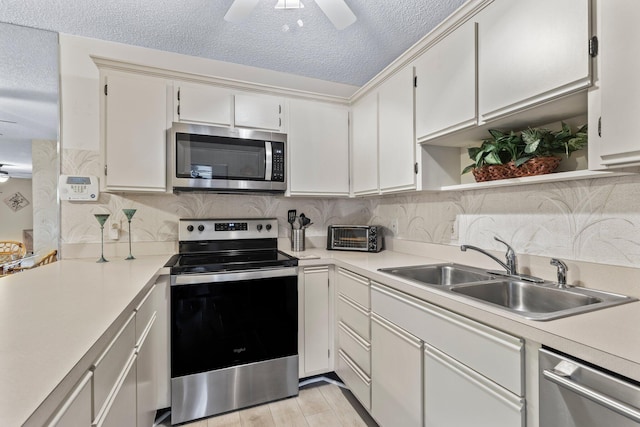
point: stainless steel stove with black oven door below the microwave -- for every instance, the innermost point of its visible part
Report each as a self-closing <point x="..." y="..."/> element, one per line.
<point x="234" y="317"/>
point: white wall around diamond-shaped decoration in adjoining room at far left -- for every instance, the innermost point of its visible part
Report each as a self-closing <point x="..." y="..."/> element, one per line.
<point x="12" y="223"/>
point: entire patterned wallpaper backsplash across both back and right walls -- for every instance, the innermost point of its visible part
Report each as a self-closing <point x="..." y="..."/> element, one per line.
<point x="594" y="220"/>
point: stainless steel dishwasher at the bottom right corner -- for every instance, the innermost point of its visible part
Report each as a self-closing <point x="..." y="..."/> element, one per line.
<point x="576" y="394"/>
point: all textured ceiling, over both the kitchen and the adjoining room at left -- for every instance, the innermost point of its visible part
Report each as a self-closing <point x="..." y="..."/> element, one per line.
<point x="28" y="71"/>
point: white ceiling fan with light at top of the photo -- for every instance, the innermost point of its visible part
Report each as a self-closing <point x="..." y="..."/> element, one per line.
<point x="336" y="10"/>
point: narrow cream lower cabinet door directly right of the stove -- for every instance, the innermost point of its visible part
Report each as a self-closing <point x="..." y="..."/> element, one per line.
<point x="316" y="320"/>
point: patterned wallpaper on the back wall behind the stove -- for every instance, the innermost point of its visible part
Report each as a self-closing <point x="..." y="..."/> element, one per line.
<point x="157" y="214"/>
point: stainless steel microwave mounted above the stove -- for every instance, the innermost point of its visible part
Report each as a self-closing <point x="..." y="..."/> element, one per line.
<point x="209" y="158"/>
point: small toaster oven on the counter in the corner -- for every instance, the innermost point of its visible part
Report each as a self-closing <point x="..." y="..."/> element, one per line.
<point x="365" y="238"/>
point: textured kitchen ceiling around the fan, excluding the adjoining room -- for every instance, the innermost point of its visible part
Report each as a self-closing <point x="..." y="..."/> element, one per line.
<point x="383" y="30"/>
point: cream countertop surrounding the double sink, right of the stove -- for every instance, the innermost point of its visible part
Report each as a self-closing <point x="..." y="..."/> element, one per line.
<point x="608" y="338"/>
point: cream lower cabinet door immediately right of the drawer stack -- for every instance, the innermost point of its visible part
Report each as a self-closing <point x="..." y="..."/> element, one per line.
<point x="396" y="375"/>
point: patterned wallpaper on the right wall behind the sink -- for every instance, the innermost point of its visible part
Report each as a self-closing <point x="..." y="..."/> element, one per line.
<point x="594" y="220"/>
